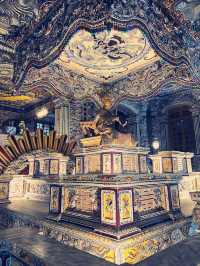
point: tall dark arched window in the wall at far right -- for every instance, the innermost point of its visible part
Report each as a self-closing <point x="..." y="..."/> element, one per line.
<point x="181" y="129"/>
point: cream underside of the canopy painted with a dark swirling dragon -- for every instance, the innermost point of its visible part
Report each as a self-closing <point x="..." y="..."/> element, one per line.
<point x="107" y="55"/>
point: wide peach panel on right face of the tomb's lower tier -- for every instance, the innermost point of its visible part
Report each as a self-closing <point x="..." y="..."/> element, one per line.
<point x="148" y="199"/>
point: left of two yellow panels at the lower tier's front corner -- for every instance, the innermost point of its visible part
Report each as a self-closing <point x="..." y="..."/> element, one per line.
<point x="108" y="207"/>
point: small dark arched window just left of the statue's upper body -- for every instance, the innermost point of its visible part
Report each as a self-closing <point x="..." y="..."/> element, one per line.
<point x="88" y="111"/>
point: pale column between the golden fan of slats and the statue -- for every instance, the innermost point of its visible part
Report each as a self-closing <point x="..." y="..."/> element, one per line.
<point x="62" y="117"/>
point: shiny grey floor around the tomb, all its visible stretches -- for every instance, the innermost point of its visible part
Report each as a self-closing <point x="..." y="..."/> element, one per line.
<point x="186" y="253"/>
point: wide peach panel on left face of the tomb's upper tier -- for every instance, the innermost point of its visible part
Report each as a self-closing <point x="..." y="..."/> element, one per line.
<point x="92" y="163"/>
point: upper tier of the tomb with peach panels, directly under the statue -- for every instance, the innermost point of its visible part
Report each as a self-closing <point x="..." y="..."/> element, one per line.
<point x="111" y="160"/>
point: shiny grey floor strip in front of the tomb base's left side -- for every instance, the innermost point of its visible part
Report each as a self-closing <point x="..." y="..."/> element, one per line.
<point x="50" y="251"/>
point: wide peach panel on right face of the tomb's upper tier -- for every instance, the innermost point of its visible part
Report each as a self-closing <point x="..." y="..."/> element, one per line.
<point x="130" y="163"/>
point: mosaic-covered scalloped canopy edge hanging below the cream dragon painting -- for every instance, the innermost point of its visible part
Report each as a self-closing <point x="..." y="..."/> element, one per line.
<point x="143" y="83"/>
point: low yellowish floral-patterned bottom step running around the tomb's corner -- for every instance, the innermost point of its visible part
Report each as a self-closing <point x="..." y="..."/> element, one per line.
<point x="131" y="249"/>
